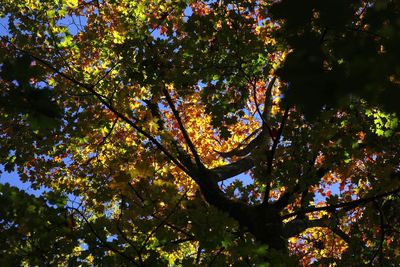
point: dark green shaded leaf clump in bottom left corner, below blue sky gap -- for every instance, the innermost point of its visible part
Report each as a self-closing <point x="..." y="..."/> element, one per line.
<point x="33" y="232"/>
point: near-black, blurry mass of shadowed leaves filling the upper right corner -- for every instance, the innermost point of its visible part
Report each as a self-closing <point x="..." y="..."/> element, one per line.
<point x="340" y="49"/>
